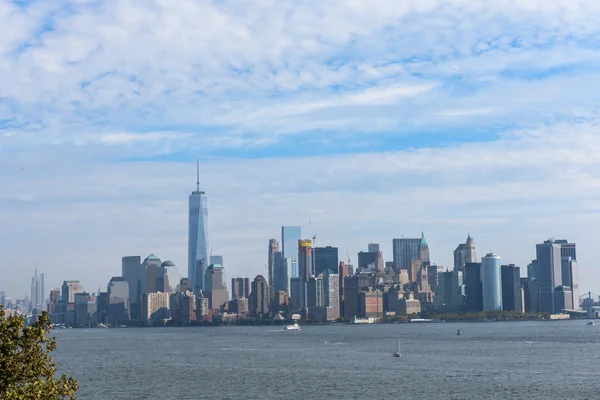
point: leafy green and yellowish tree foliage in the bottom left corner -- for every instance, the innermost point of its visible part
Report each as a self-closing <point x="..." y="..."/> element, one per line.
<point x="26" y="367"/>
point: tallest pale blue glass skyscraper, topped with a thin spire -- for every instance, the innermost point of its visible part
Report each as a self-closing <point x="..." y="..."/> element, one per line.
<point x="198" y="236"/>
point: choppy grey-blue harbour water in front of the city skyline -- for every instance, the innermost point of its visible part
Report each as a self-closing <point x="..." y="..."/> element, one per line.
<point x="502" y="360"/>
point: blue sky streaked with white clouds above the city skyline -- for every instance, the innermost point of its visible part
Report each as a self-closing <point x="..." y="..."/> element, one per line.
<point x="372" y="119"/>
